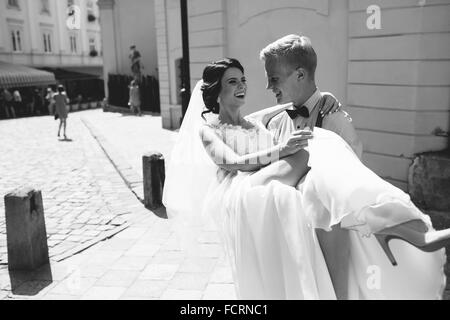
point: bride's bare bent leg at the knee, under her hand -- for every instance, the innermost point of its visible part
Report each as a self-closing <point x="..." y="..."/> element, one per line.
<point x="288" y="170"/>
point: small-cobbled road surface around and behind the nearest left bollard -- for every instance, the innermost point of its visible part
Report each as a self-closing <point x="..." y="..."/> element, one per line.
<point x="84" y="197"/>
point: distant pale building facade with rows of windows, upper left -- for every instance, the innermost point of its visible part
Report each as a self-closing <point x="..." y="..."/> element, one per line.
<point x="51" y="33"/>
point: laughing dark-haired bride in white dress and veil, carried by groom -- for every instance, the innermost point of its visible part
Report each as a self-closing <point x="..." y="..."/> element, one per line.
<point x="227" y="167"/>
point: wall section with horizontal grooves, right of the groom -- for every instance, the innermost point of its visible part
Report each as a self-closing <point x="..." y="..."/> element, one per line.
<point x="398" y="82"/>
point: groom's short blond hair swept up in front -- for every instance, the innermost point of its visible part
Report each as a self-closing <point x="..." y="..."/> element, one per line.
<point x="293" y="50"/>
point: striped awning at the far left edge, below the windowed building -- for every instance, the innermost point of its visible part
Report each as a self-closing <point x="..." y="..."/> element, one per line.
<point x="13" y="75"/>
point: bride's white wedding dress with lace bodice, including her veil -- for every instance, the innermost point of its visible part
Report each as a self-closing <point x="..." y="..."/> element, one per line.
<point x="268" y="231"/>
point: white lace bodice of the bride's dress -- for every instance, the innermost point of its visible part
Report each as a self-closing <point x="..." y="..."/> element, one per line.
<point x="242" y="140"/>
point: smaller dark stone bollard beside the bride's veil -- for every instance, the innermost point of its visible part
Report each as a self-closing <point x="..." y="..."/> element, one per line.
<point x="154" y="176"/>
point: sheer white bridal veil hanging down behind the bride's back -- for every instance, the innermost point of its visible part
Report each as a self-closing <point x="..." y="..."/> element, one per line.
<point x="190" y="174"/>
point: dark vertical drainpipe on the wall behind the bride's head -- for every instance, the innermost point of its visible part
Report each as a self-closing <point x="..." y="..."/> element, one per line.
<point x="185" y="69"/>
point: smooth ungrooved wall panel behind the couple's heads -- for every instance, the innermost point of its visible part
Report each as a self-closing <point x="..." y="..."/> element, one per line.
<point x="253" y="24"/>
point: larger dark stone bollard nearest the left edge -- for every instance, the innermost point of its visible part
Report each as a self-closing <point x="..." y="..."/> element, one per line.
<point x="25" y="230"/>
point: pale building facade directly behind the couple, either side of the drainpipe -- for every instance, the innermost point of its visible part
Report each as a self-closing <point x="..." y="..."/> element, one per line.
<point x="387" y="61"/>
